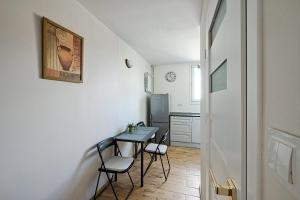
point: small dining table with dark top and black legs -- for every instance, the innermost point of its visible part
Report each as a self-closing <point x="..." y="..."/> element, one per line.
<point x="140" y="135"/>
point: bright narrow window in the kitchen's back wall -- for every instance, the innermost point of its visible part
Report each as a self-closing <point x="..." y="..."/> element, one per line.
<point x="195" y="83"/>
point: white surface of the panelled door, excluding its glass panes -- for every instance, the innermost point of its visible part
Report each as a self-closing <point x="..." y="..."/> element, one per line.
<point x="226" y="106"/>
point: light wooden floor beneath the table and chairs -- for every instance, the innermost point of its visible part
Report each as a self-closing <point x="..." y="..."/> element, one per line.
<point x="183" y="182"/>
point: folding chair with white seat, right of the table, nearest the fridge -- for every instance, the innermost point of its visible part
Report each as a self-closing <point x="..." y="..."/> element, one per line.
<point x="160" y="149"/>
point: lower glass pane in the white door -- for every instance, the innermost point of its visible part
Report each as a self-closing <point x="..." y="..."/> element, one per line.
<point x="218" y="79"/>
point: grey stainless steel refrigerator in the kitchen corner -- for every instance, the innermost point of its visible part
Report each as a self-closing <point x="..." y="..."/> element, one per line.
<point x="159" y="113"/>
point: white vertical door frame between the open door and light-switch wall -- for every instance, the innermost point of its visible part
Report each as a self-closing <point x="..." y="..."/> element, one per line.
<point x="254" y="99"/>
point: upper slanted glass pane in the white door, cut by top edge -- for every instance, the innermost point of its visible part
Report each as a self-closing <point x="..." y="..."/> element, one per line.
<point x="217" y="20"/>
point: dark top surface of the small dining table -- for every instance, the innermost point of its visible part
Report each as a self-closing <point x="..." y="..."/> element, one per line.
<point x="141" y="134"/>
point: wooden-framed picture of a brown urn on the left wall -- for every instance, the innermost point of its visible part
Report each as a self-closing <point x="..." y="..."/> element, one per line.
<point x="62" y="53"/>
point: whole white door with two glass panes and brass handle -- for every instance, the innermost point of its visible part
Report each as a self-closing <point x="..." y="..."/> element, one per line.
<point x="227" y="72"/>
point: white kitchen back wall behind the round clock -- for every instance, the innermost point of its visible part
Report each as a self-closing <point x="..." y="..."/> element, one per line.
<point x="180" y="90"/>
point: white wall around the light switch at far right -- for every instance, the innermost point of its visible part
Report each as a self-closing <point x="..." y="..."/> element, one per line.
<point x="281" y="80"/>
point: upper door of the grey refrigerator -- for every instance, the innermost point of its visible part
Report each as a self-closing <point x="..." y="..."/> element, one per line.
<point x="160" y="108"/>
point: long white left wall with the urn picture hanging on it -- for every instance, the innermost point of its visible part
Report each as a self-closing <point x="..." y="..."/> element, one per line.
<point x="49" y="127"/>
